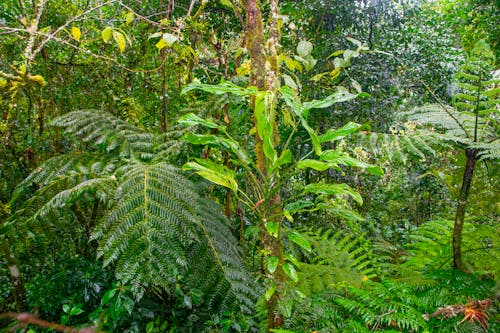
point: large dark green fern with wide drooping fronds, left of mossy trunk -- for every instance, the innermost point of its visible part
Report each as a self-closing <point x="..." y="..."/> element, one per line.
<point x="155" y="229"/>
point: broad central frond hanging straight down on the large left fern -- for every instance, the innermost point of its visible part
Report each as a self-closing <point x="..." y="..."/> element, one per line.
<point x="151" y="226"/>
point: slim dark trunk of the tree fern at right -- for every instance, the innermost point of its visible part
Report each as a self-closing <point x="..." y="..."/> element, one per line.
<point x="461" y="206"/>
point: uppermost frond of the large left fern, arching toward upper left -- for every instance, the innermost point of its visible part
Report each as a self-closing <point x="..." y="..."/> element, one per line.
<point x="108" y="132"/>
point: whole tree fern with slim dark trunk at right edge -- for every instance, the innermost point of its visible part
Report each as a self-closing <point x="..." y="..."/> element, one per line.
<point x="471" y="124"/>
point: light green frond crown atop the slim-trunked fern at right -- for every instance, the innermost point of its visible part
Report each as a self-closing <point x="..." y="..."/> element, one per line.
<point x="474" y="112"/>
